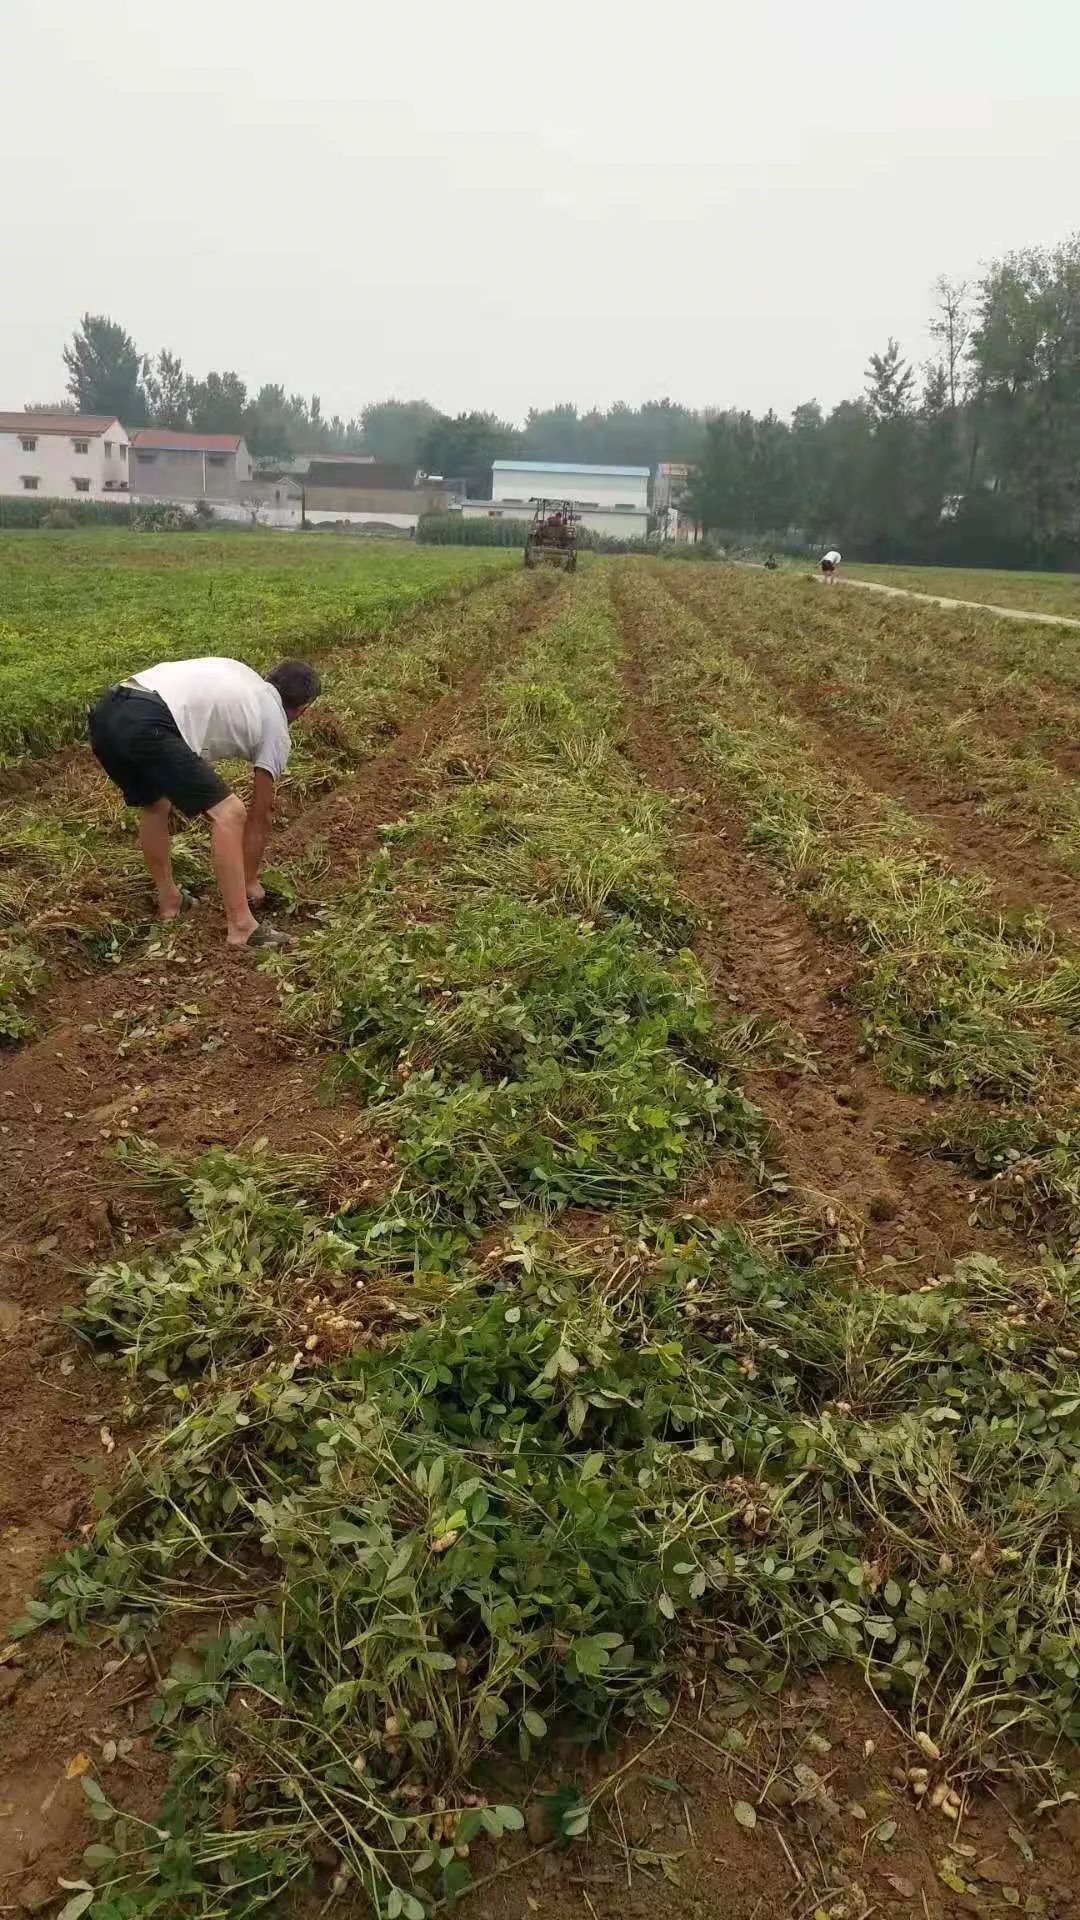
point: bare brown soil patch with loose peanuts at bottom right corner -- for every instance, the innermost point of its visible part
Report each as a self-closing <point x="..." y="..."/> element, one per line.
<point x="666" y="1842"/>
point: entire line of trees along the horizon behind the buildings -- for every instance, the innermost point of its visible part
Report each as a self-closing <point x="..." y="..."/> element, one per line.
<point x="973" y="456"/>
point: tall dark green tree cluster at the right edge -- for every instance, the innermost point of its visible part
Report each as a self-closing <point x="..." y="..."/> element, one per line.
<point x="973" y="458"/>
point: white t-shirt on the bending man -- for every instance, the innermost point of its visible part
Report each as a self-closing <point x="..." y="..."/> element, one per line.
<point x="224" y="709"/>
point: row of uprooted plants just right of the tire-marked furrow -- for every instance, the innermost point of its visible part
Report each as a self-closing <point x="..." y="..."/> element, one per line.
<point x="956" y="996"/>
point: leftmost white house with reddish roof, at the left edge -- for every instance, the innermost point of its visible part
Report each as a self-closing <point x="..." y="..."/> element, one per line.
<point x="62" y="456"/>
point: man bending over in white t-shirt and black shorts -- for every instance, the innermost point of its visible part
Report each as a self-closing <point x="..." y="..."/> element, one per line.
<point x="159" y="736"/>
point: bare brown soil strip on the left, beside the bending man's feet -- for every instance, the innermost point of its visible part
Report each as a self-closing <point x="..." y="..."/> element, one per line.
<point x="70" y="1203"/>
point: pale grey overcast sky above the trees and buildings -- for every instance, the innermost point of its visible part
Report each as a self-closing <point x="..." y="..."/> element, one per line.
<point x="508" y="204"/>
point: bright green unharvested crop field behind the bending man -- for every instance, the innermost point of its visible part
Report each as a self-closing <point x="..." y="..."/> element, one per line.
<point x="80" y="610"/>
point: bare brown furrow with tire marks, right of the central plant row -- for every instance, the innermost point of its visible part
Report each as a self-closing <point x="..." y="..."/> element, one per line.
<point x="841" y="1132"/>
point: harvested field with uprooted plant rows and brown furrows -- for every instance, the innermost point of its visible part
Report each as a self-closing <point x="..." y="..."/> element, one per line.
<point x="622" y="1262"/>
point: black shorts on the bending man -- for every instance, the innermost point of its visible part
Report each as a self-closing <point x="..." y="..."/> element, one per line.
<point x="143" y="752"/>
